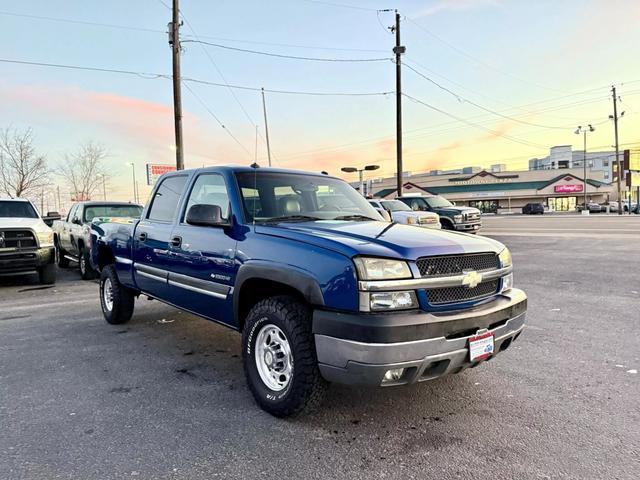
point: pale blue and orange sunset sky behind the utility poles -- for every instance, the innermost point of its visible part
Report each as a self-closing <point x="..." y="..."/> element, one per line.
<point x="541" y="67"/>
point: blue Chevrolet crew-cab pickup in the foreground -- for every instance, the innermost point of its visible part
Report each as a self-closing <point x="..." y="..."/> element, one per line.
<point x="321" y="288"/>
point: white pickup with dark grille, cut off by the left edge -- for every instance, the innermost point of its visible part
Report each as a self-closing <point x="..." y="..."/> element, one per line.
<point x="26" y="242"/>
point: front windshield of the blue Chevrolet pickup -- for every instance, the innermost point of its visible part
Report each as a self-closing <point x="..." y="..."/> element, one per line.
<point x="271" y="197"/>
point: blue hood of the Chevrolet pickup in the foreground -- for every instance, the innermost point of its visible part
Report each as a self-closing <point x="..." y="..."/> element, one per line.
<point x="381" y="239"/>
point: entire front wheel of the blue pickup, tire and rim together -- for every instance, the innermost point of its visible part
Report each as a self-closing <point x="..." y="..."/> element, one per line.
<point x="276" y="336"/>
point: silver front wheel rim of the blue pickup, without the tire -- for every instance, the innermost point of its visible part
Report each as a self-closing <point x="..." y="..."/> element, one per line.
<point x="273" y="358"/>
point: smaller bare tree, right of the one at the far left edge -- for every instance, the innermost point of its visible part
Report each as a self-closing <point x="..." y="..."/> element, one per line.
<point x="84" y="170"/>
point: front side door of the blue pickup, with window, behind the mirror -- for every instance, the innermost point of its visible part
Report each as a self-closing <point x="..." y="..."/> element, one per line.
<point x="203" y="270"/>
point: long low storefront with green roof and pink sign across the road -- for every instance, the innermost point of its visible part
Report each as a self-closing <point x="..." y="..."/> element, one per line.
<point x="558" y="190"/>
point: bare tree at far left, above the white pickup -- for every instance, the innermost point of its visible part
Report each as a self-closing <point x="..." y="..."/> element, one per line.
<point x="23" y="172"/>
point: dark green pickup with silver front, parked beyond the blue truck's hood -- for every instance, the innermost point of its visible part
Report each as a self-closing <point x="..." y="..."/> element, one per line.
<point x="452" y="217"/>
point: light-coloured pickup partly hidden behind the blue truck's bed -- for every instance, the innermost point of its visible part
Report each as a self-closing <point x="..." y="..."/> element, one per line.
<point x="72" y="235"/>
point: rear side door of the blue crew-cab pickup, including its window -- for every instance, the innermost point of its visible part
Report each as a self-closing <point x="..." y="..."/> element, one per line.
<point x="151" y="254"/>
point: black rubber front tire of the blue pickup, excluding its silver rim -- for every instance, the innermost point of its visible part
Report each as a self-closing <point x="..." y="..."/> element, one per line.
<point x="306" y="388"/>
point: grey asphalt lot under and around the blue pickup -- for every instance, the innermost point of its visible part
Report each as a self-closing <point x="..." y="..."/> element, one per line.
<point x="164" y="395"/>
